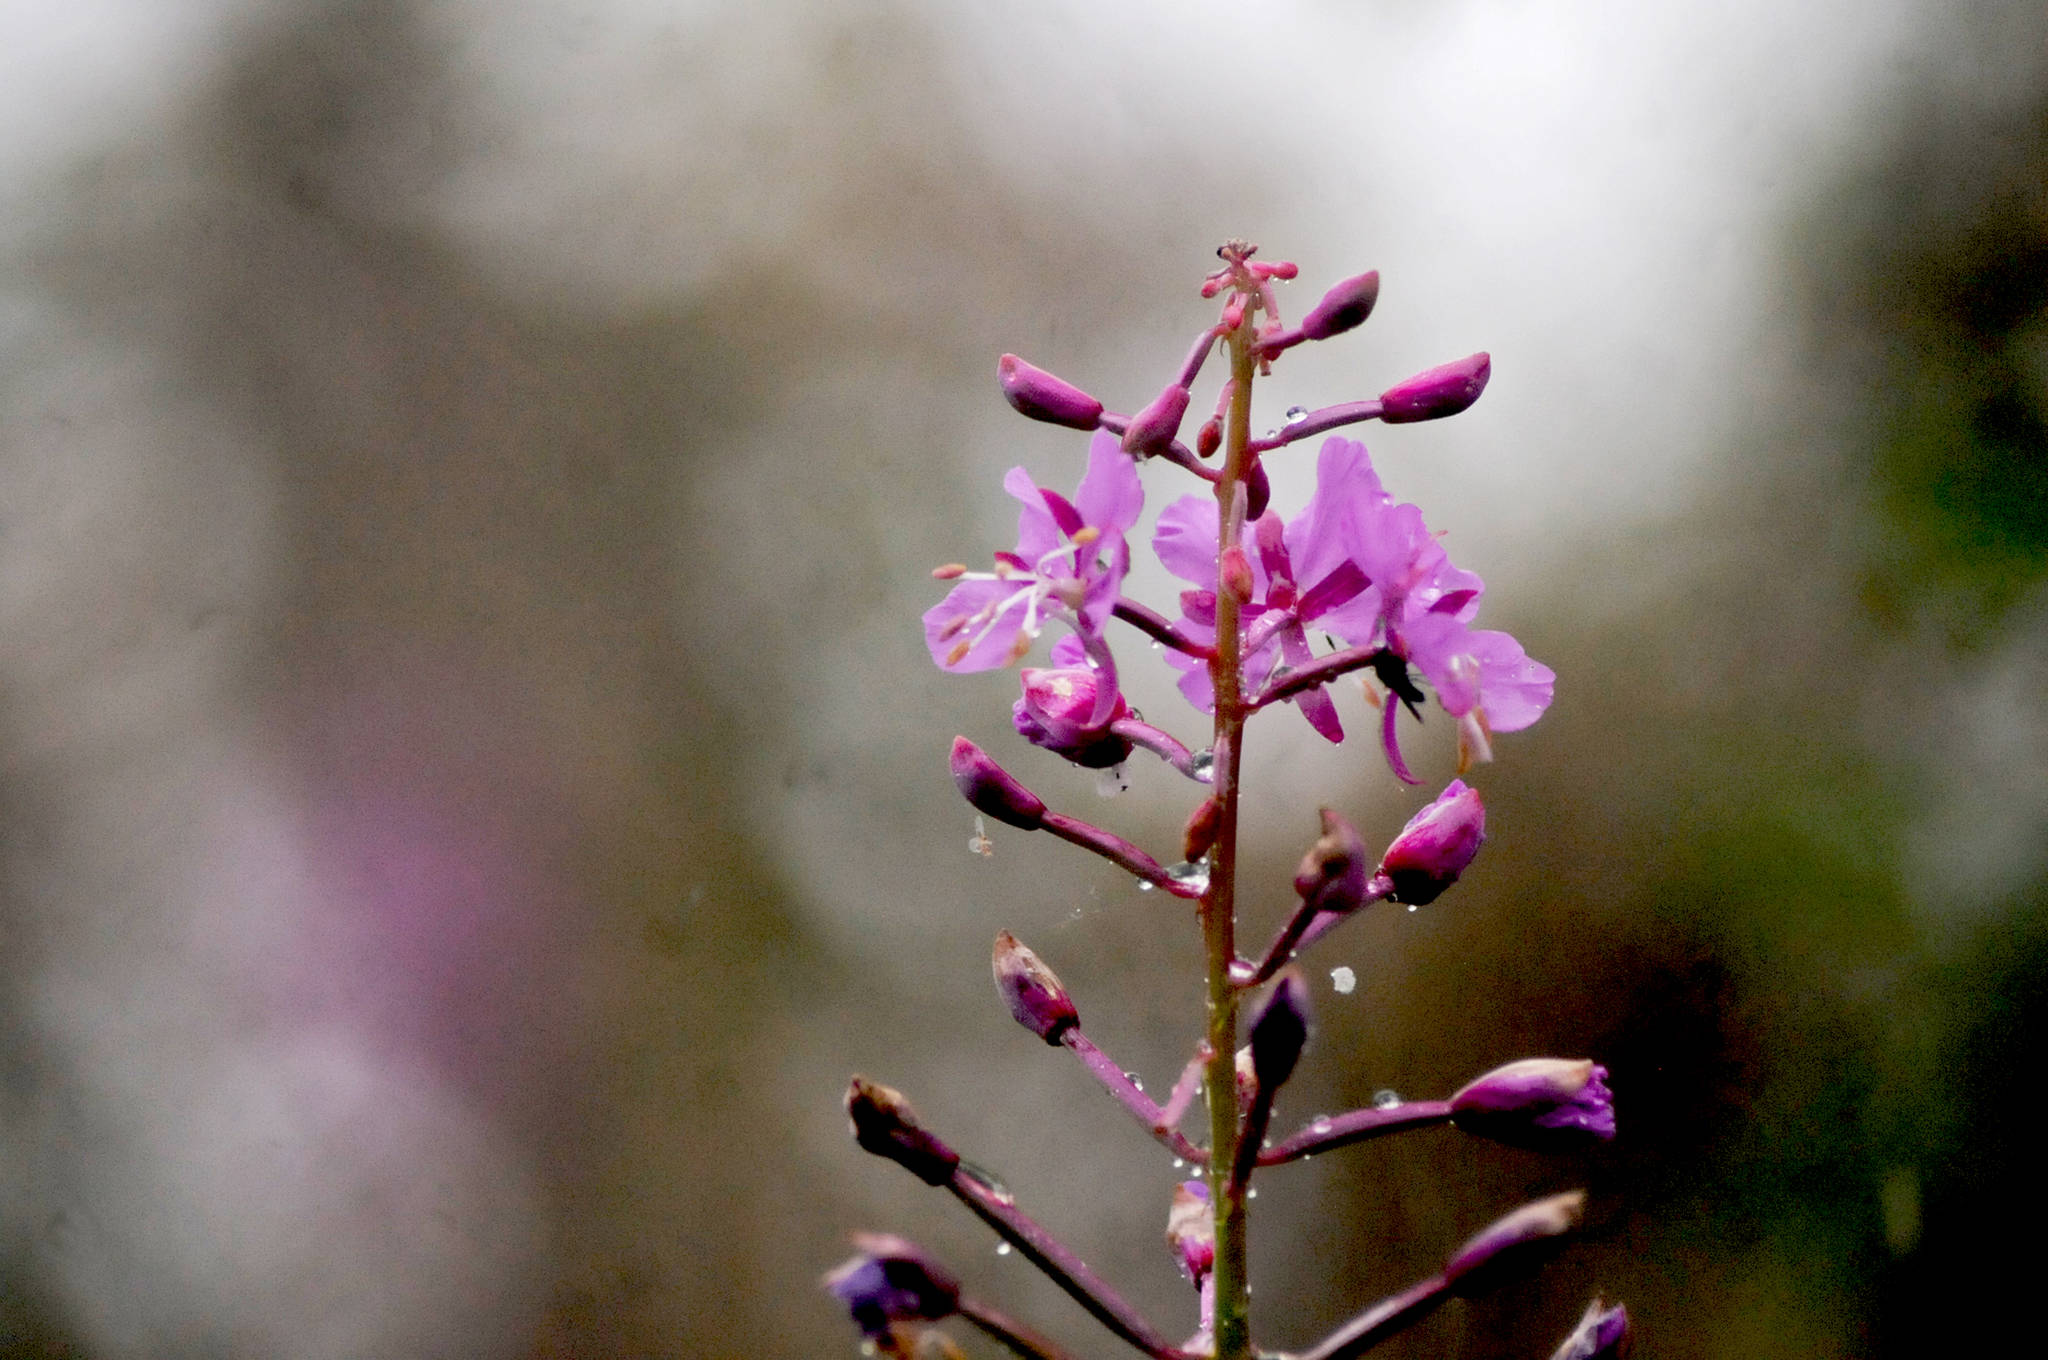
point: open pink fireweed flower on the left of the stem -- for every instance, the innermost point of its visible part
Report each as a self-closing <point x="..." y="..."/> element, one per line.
<point x="1070" y="564"/>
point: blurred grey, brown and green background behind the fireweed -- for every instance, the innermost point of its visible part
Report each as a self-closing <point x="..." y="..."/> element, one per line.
<point x="472" y="785"/>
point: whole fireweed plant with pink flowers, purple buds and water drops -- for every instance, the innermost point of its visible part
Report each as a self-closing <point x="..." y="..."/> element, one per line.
<point x="1353" y="568"/>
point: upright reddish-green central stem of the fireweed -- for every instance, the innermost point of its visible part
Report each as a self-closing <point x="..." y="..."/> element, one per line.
<point x="1220" y="904"/>
